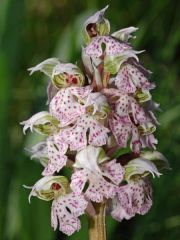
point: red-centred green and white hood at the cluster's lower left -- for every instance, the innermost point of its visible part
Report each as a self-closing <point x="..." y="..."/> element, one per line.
<point x="50" y="187"/>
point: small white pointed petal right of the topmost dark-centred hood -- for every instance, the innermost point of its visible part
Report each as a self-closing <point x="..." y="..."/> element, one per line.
<point x="124" y="34"/>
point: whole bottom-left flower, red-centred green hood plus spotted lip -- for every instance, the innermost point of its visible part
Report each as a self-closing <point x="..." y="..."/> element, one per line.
<point x="66" y="206"/>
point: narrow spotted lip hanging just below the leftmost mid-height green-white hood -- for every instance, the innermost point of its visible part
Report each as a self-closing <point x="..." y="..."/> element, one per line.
<point x="57" y="159"/>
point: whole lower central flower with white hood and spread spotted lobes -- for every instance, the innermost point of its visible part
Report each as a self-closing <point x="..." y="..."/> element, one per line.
<point x="91" y="169"/>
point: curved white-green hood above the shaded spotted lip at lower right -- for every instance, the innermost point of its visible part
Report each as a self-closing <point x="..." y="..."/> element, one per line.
<point x="140" y="166"/>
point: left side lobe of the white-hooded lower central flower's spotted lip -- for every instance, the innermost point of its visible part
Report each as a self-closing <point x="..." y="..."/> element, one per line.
<point x="78" y="180"/>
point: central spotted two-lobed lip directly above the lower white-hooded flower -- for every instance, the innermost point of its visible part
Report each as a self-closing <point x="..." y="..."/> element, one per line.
<point x="76" y="136"/>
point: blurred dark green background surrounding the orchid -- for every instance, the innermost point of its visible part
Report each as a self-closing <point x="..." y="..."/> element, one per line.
<point x="30" y="32"/>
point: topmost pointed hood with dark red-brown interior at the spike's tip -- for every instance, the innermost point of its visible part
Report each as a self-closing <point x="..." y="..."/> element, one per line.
<point x="96" y="25"/>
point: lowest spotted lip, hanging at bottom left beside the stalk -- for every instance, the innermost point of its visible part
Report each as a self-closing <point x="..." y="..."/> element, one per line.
<point x="65" y="211"/>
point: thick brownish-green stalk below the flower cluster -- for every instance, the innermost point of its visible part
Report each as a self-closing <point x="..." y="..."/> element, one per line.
<point x="97" y="223"/>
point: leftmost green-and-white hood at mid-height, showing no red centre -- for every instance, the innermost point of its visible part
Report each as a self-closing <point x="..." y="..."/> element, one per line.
<point x="42" y="122"/>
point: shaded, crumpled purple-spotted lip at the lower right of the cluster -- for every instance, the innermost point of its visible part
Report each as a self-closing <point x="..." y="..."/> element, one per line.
<point x="132" y="198"/>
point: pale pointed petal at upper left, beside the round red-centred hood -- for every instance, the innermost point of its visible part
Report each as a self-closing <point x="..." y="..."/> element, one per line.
<point x="46" y="66"/>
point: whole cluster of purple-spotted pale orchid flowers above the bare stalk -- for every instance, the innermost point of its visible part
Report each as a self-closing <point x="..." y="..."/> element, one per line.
<point x="100" y="125"/>
